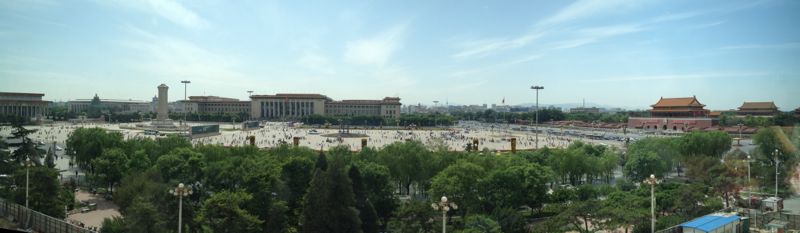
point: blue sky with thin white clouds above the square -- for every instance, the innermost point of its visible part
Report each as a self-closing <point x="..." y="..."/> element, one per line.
<point x="623" y="53"/>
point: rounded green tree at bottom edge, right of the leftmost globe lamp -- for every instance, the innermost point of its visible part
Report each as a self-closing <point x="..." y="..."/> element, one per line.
<point x="223" y="212"/>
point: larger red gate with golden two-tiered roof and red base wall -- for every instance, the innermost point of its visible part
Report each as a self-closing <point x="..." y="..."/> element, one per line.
<point x="684" y="114"/>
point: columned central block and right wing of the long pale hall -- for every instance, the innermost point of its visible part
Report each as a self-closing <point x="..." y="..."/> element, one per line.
<point x="296" y="106"/>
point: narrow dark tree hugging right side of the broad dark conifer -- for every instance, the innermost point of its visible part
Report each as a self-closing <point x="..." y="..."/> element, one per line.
<point x="369" y="219"/>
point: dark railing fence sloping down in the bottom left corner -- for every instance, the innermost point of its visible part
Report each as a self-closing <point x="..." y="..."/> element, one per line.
<point x="37" y="221"/>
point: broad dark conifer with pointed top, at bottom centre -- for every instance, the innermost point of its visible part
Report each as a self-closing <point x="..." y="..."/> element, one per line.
<point x="330" y="203"/>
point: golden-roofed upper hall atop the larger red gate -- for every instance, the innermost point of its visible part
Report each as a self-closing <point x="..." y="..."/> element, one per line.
<point x="679" y="107"/>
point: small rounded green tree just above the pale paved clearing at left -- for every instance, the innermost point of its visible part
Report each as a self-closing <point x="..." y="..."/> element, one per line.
<point x="111" y="166"/>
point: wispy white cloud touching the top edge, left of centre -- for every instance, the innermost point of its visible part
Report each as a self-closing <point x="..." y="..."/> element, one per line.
<point x="173" y="11"/>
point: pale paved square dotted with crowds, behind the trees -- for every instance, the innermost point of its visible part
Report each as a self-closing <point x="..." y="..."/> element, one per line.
<point x="492" y="137"/>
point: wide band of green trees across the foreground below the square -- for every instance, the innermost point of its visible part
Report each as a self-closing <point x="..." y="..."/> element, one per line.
<point x="293" y="189"/>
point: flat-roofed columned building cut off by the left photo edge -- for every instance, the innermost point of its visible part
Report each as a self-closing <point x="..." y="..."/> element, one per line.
<point x="28" y="105"/>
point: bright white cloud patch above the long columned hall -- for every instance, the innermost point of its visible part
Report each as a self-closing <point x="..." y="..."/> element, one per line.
<point x="375" y="50"/>
